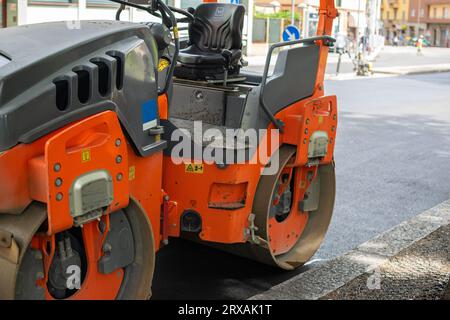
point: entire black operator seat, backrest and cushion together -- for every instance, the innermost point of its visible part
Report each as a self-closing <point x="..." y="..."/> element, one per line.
<point x="215" y="42"/>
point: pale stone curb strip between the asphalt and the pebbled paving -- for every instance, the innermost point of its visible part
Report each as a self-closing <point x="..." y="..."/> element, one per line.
<point x="335" y="273"/>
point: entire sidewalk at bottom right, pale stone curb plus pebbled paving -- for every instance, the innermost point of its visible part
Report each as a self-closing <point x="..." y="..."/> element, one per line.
<point x="410" y="261"/>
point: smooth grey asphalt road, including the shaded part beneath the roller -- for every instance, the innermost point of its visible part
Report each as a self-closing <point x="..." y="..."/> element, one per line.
<point x="392" y="162"/>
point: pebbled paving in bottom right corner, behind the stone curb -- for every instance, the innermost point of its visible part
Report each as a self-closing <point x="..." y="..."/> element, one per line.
<point x="421" y="271"/>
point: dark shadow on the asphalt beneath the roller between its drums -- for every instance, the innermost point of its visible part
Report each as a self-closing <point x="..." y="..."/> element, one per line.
<point x="187" y="270"/>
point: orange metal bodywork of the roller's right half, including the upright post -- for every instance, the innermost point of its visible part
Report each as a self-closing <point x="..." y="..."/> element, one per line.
<point x="191" y="191"/>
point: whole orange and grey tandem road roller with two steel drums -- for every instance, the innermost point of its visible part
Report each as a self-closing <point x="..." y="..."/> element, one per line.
<point x="117" y="136"/>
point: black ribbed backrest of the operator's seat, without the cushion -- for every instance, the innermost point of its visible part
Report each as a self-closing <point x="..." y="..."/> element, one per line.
<point x="217" y="26"/>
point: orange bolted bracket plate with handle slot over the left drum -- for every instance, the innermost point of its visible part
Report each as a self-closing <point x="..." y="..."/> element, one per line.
<point x="83" y="147"/>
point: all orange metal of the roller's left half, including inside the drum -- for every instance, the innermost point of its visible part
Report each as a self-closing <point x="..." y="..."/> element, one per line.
<point x="94" y="143"/>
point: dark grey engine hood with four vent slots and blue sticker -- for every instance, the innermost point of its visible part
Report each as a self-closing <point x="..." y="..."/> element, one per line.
<point x="52" y="75"/>
